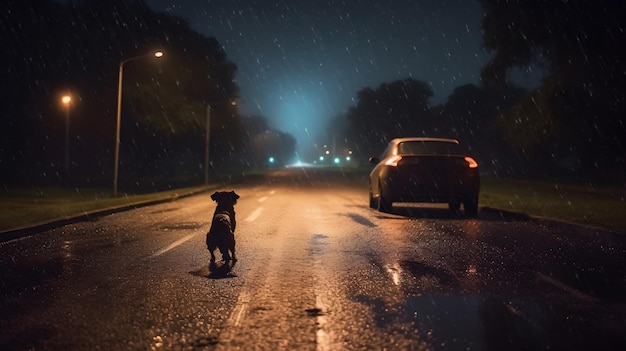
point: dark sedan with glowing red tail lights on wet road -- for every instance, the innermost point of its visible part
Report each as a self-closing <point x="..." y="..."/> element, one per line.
<point x="419" y="169"/>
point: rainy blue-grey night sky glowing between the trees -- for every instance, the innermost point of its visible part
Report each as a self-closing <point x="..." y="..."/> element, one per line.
<point x="302" y="62"/>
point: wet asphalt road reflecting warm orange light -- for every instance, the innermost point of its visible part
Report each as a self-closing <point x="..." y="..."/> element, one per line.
<point x="317" y="270"/>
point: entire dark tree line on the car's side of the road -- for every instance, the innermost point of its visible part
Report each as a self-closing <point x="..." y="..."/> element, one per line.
<point x="571" y="126"/>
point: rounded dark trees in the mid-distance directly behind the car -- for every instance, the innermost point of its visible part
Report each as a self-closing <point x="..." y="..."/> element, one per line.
<point x="401" y="109"/>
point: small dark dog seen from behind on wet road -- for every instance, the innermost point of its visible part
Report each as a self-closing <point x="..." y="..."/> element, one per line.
<point x="222" y="233"/>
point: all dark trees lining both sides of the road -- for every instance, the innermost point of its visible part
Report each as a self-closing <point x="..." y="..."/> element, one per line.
<point x="572" y="125"/>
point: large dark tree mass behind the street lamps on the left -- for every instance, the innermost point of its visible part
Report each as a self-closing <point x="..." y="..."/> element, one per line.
<point x="53" y="49"/>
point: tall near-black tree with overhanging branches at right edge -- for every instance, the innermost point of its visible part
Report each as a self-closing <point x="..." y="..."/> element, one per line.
<point x="578" y="109"/>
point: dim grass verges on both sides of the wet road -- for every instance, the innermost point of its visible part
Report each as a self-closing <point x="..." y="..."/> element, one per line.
<point x="597" y="206"/>
